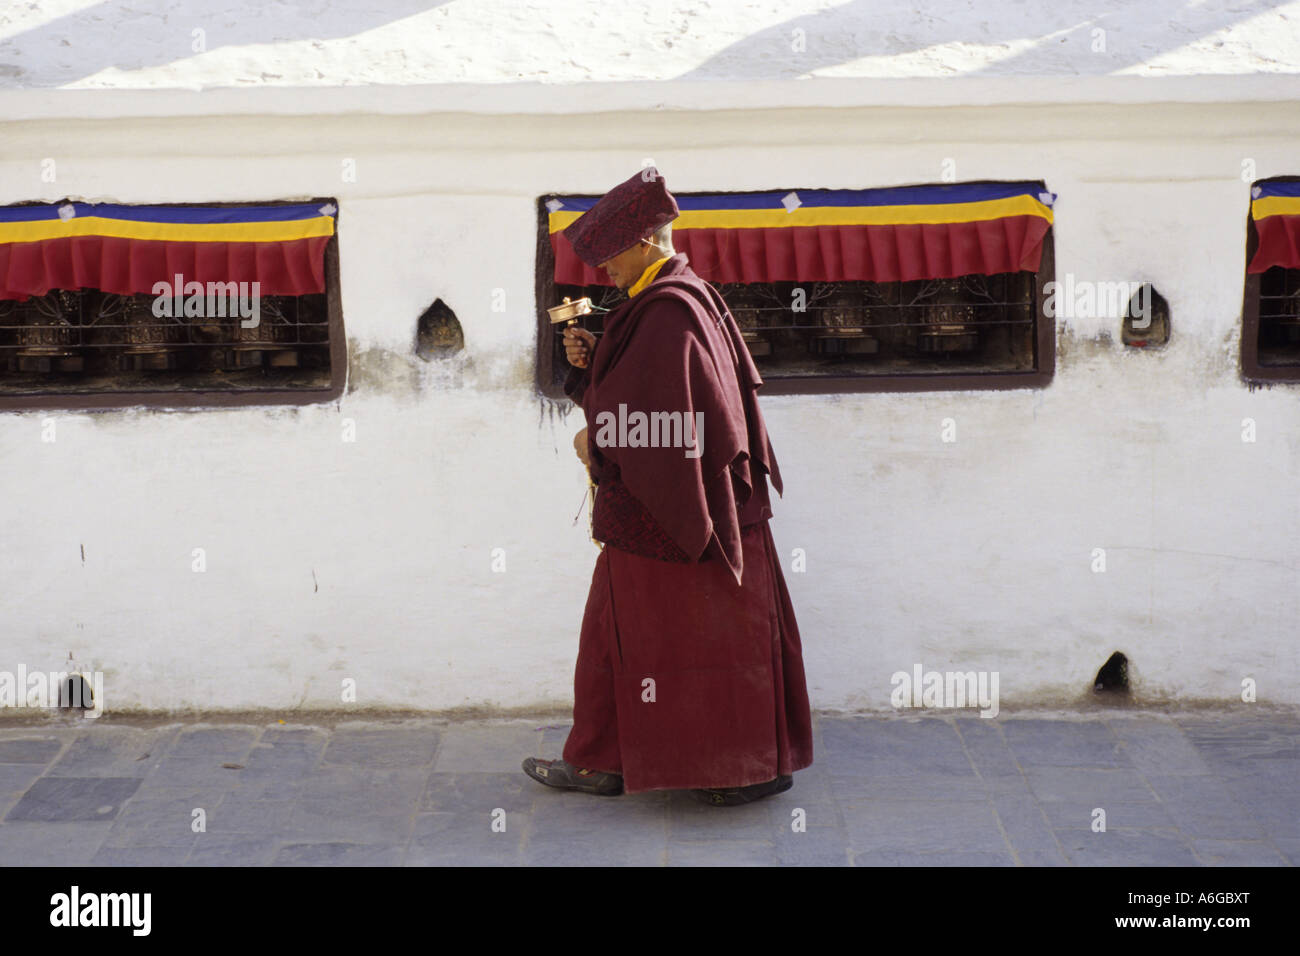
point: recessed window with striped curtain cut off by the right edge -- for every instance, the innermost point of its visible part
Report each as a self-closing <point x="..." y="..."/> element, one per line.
<point x="1271" y="313"/>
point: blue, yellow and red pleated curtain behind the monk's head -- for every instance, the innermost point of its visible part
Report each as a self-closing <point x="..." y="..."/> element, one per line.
<point x="837" y="236"/>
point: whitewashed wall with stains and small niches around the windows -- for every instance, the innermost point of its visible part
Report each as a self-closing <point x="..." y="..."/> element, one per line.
<point x="372" y="560"/>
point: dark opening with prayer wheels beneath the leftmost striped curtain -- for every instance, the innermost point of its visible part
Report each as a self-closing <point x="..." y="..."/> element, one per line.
<point x="89" y="340"/>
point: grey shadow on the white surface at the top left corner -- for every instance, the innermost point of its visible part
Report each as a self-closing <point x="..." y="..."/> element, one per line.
<point x="86" y="42"/>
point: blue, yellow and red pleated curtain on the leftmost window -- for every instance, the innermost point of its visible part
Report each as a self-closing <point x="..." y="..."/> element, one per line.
<point x="129" y="249"/>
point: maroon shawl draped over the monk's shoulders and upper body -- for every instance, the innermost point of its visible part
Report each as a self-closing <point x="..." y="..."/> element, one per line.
<point x="675" y="348"/>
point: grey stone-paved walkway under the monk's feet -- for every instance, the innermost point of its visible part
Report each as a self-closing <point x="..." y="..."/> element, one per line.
<point x="1178" y="789"/>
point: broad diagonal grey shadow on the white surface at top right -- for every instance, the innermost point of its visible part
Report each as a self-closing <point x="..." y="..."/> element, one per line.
<point x="1061" y="36"/>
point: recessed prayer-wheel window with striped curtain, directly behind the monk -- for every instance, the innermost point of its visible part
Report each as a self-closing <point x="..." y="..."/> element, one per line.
<point x="851" y="291"/>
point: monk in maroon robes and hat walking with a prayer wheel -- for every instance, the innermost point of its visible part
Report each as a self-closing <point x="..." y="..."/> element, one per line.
<point x="690" y="672"/>
